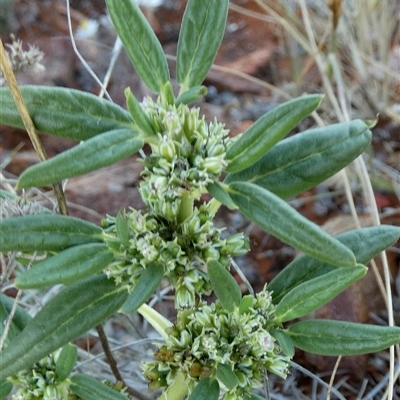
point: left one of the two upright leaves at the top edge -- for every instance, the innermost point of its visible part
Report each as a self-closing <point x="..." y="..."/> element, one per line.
<point x="140" y="42"/>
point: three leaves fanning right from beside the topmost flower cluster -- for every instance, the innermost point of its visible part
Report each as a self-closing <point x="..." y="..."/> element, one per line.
<point x="264" y="170"/>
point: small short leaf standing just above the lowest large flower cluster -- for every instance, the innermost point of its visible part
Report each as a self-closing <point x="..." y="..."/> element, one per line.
<point x="225" y="287"/>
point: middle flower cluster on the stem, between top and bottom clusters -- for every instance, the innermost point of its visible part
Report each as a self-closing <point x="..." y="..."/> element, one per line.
<point x="184" y="249"/>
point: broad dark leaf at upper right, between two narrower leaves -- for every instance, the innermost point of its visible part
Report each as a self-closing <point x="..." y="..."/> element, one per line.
<point x="304" y="160"/>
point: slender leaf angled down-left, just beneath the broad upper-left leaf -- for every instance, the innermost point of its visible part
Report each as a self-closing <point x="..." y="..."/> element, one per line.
<point x="93" y="154"/>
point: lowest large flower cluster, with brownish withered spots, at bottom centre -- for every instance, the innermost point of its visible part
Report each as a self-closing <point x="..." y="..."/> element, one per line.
<point x="207" y="337"/>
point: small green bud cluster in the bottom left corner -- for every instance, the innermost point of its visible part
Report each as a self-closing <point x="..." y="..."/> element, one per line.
<point x="41" y="382"/>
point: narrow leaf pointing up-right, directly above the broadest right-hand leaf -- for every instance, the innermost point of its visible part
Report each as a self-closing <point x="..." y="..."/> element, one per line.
<point x="268" y="130"/>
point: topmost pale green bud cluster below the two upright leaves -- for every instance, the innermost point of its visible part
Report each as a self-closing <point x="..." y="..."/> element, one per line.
<point x="188" y="155"/>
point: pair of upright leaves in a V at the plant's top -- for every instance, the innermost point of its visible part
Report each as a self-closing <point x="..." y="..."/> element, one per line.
<point x="203" y="22"/>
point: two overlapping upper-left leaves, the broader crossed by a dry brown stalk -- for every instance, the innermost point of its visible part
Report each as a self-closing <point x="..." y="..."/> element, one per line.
<point x="107" y="131"/>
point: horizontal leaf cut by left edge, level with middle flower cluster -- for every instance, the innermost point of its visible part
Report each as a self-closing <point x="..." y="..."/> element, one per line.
<point x="31" y="233"/>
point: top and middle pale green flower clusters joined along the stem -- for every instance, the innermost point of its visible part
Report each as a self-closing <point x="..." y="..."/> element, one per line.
<point x="187" y="154"/>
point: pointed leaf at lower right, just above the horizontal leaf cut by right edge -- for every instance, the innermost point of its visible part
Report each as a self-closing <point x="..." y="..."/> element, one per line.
<point x="314" y="293"/>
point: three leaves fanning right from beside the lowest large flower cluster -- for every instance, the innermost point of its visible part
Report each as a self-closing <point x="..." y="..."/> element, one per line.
<point x="306" y="284"/>
